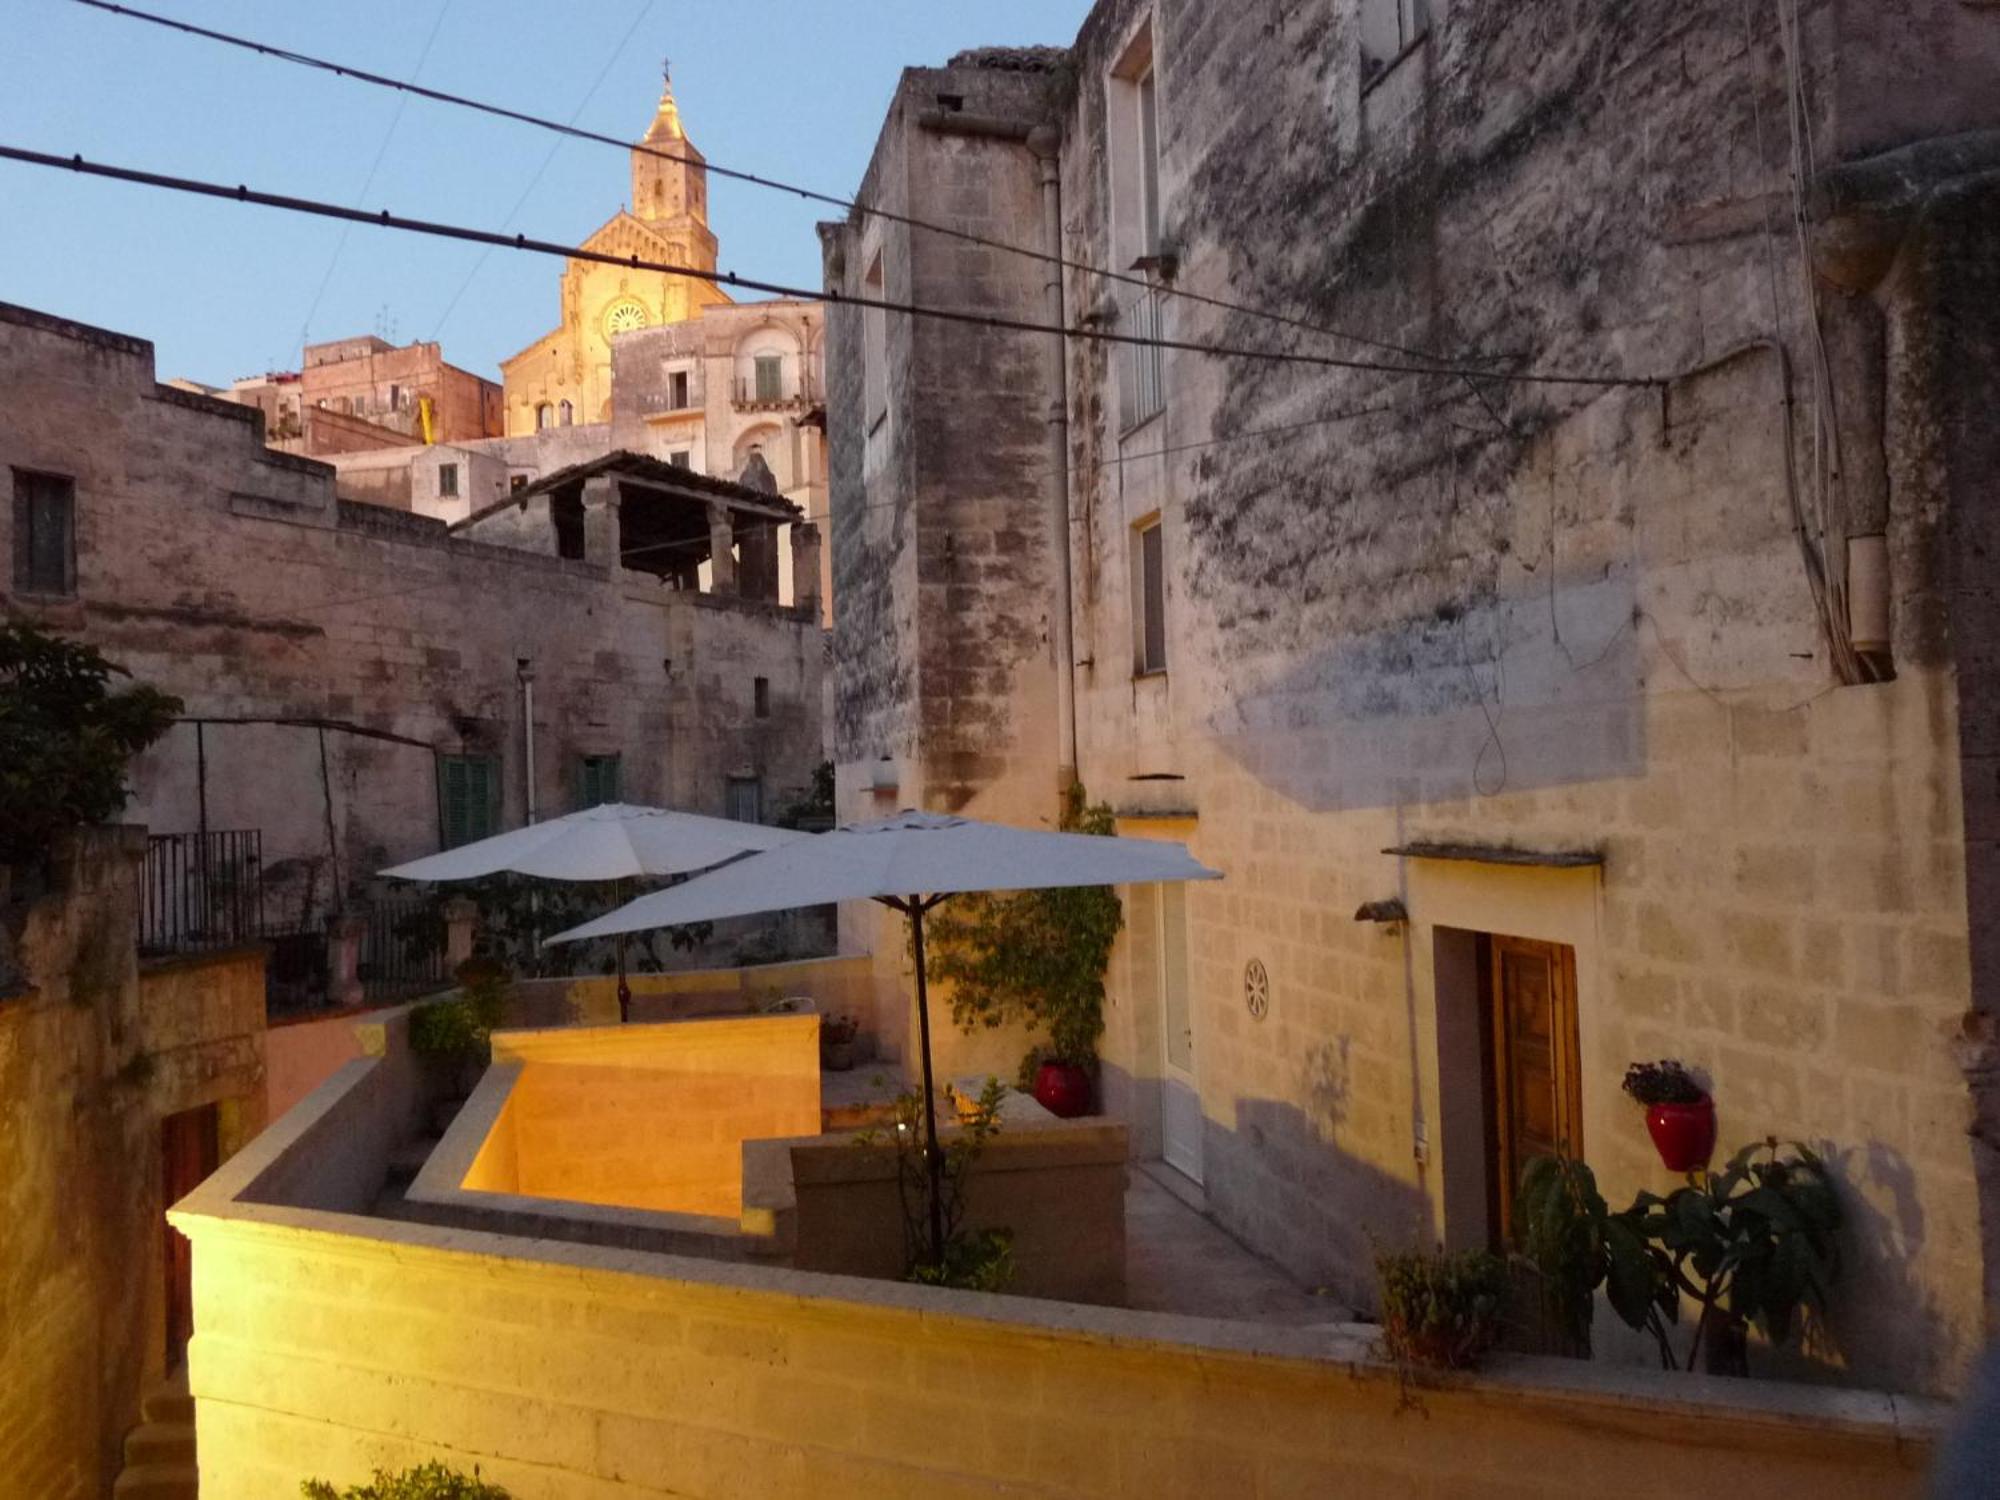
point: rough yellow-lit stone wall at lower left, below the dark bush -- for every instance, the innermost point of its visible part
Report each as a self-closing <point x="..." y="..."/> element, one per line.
<point x="93" y="1055"/>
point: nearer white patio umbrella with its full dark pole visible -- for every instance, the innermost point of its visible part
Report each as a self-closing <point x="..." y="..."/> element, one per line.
<point x="909" y="863"/>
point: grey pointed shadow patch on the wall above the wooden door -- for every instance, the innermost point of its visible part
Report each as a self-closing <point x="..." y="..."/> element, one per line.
<point x="1453" y="705"/>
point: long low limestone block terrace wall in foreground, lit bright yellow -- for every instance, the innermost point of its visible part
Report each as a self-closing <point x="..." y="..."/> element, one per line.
<point x="331" y="1345"/>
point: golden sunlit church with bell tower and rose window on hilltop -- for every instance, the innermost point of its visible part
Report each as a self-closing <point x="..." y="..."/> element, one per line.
<point x="567" y="375"/>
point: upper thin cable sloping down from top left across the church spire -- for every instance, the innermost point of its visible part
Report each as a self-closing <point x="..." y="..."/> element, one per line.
<point x="751" y="179"/>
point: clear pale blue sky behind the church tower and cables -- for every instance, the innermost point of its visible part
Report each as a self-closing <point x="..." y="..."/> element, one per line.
<point x="789" y="89"/>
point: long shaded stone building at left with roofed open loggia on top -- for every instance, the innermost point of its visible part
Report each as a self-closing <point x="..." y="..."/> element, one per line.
<point x="345" y="665"/>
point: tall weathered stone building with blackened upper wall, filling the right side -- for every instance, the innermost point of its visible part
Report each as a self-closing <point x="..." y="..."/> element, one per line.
<point x="1573" y="655"/>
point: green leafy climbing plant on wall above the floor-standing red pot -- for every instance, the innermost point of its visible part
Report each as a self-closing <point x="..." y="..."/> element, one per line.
<point x="1033" y="957"/>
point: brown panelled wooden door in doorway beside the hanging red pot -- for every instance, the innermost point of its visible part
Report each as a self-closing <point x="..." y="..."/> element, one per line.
<point x="1537" y="1085"/>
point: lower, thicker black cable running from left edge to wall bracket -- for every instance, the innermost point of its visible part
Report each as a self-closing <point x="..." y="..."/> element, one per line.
<point x="385" y="219"/>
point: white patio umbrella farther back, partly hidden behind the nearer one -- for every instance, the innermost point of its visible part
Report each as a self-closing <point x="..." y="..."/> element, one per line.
<point x="607" y="843"/>
